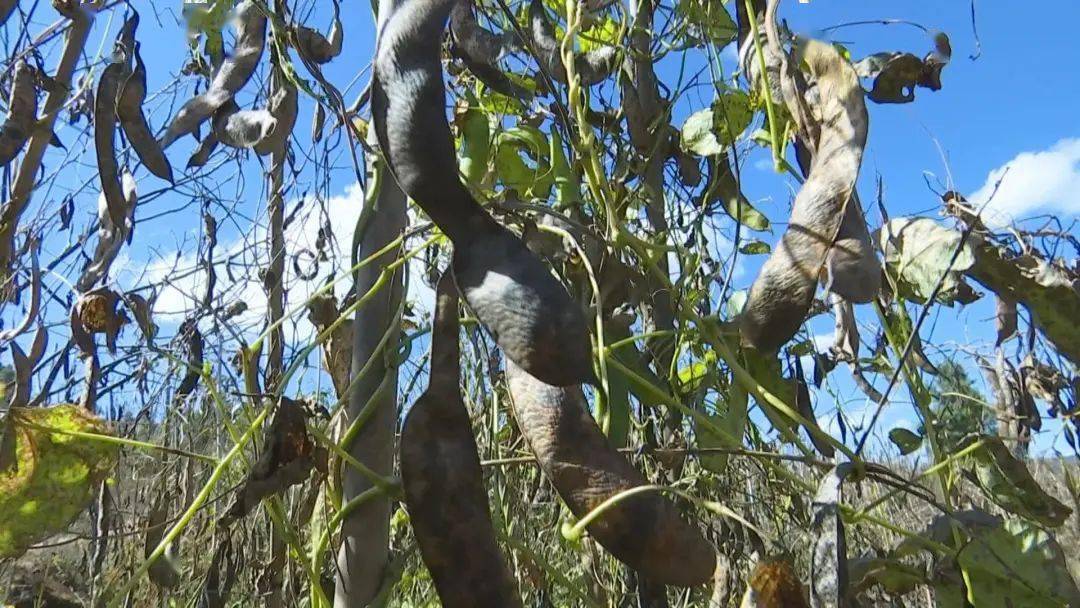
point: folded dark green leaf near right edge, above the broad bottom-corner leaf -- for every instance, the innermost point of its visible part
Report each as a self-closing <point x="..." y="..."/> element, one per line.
<point x="1008" y="483"/>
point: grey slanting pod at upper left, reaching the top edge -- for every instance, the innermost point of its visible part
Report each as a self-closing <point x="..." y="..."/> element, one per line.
<point x="236" y="71"/>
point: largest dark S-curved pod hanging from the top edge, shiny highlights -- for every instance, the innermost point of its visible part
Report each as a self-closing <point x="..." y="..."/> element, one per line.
<point x="512" y="293"/>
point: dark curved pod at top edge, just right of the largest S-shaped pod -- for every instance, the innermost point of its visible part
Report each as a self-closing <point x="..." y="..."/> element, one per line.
<point x="480" y="50"/>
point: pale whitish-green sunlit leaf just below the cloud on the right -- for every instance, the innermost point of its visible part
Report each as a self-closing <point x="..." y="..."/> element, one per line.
<point x="919" y="252"/>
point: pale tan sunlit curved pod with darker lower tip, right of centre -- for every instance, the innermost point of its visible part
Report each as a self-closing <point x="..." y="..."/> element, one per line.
<point x="781" y="296"/>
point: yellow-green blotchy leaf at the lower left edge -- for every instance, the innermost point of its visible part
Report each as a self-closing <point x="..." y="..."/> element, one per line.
<point x="56" y="475"/>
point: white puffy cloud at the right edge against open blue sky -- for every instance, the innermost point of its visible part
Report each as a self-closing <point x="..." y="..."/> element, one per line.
<point x="1047" y="182"/>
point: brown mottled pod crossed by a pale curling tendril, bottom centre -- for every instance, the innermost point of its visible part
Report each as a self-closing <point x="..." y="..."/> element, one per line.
<point x="644" y="531"/>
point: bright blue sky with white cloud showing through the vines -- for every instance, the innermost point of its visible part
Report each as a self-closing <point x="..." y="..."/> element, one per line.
<point x="1016" y="103"/>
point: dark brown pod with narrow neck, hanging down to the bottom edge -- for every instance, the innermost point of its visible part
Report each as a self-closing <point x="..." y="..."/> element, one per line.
<point x="443" y="482"/>
